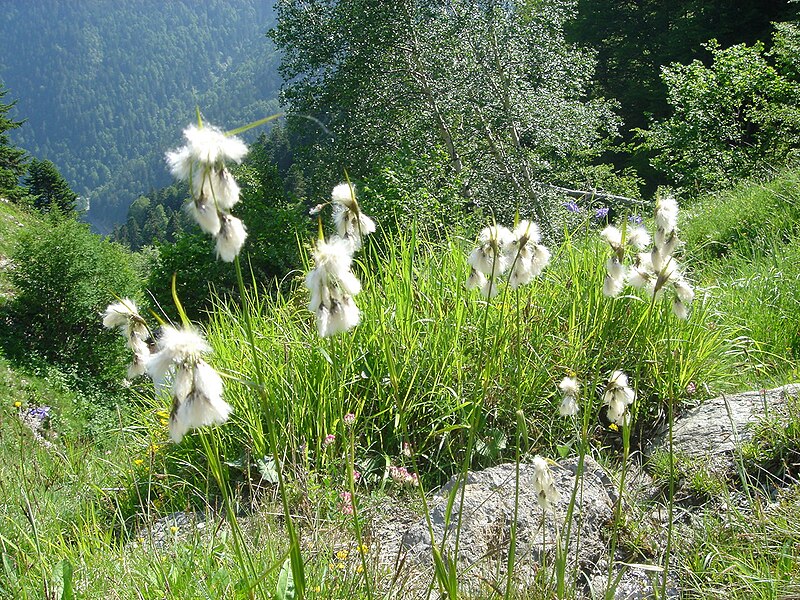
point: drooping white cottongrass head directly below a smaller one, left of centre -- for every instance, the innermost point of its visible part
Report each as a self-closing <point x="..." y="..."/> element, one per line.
<point x="333" y="287"/>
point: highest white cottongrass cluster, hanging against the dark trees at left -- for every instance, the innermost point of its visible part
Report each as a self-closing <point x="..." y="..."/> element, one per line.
<point x="202" y="163"/>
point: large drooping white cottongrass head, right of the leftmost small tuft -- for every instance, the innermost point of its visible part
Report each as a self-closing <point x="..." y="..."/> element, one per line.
<point x="196" y="388"/>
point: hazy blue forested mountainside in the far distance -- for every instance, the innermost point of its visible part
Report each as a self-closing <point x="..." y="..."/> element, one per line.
<point x="108" y="85"/>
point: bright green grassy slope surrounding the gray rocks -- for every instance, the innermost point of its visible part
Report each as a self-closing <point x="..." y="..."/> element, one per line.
<point x="105" y="496"/>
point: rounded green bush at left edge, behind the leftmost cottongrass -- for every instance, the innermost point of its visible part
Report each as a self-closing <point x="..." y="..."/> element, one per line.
<point x="64" y="277"/>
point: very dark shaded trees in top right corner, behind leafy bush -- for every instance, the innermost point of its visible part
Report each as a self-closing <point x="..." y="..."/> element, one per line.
<point x="634" y="40"/>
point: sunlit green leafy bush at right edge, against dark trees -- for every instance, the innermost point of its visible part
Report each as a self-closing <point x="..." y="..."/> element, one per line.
<point x="738" y="118"/>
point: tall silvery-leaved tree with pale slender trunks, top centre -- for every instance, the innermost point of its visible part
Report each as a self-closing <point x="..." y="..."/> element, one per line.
<point x="476" y="80"/>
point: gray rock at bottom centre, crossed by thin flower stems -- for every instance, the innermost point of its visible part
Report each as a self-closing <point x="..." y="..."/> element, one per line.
<point x="488" y="511"/>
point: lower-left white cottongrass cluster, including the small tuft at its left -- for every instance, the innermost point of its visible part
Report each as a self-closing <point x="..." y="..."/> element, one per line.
<point x="195" y="387"/>
